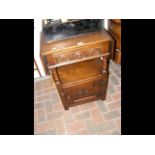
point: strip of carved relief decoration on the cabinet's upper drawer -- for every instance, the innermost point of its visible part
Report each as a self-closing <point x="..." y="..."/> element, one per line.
<point x="59" y="58"/>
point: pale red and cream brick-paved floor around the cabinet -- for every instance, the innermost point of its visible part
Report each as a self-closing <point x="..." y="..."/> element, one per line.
<point x="95" y="118"/>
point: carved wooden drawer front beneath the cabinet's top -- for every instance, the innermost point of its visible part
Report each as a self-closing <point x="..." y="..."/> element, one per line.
<point x="77" y="53"/>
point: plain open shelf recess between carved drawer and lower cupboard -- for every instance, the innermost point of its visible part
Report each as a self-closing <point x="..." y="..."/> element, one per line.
<point x="80" y="71"/>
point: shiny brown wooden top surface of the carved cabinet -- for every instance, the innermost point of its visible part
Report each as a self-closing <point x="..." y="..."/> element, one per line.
<point x="79" y="40"/>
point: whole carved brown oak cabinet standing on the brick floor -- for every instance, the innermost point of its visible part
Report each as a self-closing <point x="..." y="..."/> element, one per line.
<point x="79" y="66"/>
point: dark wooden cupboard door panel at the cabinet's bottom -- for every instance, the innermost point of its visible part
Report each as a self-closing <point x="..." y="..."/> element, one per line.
<point x="80" y="91"/>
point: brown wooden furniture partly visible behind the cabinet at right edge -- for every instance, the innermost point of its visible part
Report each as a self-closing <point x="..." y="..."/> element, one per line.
<point x="114" y="28"/>
